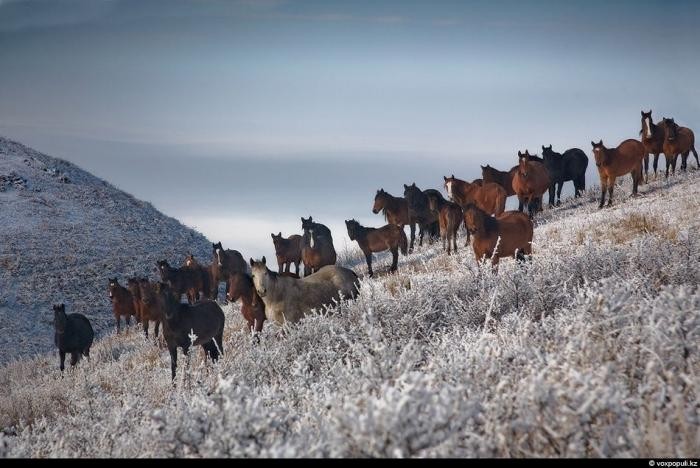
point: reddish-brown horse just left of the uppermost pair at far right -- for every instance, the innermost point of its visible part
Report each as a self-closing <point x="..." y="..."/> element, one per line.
<point x="616" y="162"/>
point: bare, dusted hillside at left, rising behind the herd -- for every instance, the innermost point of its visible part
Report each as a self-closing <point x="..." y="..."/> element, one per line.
<point x="63" y="232"/>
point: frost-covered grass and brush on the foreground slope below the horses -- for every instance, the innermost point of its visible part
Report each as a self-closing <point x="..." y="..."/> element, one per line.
<point x="590" y="349"/>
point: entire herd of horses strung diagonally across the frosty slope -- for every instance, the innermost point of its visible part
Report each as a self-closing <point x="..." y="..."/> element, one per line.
<point x="285" y="297"/>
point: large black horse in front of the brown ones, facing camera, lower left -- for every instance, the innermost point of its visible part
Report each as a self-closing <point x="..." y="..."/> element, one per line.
<point x="204" y="319"/>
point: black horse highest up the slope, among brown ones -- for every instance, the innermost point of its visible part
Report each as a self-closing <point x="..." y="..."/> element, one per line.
<point x="571" y="165"/>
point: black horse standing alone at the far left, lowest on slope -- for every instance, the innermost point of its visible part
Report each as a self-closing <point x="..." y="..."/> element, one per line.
<point x="73" y="334"/>
